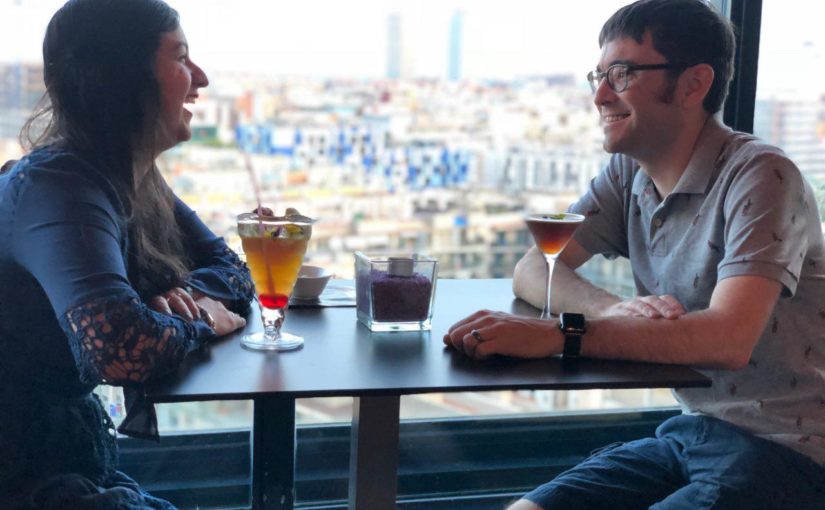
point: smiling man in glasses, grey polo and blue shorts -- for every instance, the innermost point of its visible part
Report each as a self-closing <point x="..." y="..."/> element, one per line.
<point x="725" y="242"/>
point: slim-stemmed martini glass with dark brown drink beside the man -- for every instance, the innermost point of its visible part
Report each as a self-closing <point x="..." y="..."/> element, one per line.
<point x="552" y="232"/>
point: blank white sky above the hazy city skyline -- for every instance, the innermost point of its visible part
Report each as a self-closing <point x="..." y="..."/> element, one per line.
<point x="502" y="38"/>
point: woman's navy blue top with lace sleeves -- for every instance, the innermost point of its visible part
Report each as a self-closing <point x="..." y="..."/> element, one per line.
<point x="70" y="318"/>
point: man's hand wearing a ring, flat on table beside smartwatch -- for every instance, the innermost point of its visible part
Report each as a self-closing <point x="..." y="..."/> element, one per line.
<point x="485" y="333"/>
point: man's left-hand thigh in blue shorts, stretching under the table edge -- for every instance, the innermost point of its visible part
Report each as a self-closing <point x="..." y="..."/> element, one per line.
<point x="622" y="476"/>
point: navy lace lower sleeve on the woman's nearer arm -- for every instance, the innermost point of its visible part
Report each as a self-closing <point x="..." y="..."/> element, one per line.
<point x="120" y="341"/>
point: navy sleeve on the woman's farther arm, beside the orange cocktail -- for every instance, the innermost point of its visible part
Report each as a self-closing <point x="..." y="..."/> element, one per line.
<point x="218" y="272"/>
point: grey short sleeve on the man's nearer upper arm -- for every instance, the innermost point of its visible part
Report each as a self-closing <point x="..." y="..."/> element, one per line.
<point x="767" y="216"/>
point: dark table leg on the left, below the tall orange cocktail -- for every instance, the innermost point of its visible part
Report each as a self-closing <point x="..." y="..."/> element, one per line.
<point x="273" y="453"/>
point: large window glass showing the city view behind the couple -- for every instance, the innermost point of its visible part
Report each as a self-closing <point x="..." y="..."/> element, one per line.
<point x="414" y="126"/>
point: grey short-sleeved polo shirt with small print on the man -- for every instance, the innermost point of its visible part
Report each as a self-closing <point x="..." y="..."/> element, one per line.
<point x="740" y="208"/>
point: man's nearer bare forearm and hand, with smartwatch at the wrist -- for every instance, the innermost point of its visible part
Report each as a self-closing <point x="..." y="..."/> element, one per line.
<point x="722" y="336"/>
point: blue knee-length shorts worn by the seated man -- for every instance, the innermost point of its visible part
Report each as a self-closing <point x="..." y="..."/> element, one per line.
<point x="693" y="463"/>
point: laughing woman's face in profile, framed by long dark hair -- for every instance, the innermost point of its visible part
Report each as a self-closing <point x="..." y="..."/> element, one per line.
<point x="179" y="80"/>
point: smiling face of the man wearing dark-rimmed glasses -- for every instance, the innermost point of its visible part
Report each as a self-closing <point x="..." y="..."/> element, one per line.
<point x="640" y="121"/>
